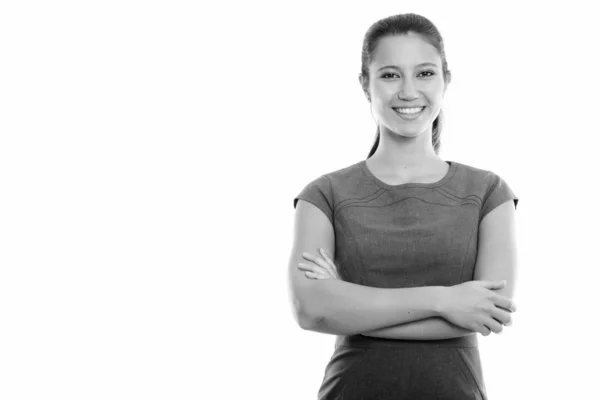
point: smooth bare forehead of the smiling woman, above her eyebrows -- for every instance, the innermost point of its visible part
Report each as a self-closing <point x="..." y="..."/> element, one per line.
<point x="404" y="51"/>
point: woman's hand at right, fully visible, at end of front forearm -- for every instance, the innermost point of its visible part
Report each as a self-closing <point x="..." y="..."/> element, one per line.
<point x="473" y="305"/>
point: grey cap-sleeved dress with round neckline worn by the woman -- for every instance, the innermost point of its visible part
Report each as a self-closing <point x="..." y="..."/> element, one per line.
<point x="401" y="236"/>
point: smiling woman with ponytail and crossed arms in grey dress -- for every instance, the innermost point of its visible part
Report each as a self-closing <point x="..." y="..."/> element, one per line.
<point x="404" y="256"/>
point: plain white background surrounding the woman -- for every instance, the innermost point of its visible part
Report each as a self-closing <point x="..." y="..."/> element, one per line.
<point x="150" y="152"/>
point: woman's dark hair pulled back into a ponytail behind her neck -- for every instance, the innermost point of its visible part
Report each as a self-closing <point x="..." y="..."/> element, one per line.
<point x="403" y="24"/>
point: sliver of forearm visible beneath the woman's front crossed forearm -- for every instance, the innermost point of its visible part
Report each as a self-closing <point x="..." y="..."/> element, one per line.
<point x="434" y="328"/>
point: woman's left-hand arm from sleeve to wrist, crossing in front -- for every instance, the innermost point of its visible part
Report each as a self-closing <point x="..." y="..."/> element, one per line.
<point x="343" y="308"/>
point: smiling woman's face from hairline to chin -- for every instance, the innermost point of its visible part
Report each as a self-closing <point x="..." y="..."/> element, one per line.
<point x="406" y="84"/>
